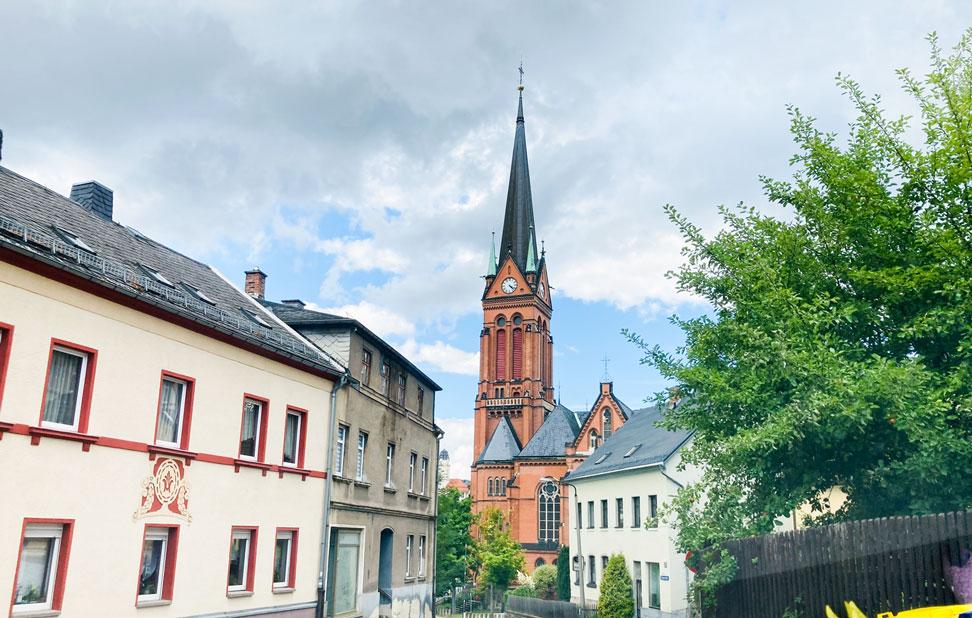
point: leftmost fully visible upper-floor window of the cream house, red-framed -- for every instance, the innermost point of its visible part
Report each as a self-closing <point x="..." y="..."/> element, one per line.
<point x="67" y="395"/>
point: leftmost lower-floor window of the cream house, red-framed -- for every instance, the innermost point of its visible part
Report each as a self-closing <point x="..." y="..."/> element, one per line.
<point x="42" y="566"/>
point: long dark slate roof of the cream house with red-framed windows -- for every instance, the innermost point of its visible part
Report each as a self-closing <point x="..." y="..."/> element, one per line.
<point x="29" y="214"/>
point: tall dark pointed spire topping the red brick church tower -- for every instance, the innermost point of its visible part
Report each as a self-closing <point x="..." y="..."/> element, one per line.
<point x="518" y="235"/>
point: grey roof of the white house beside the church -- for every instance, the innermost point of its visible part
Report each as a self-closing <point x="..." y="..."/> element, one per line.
<point x="654" y="446"/>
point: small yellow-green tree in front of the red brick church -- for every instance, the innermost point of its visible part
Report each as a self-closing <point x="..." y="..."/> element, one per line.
<point x="497" y="558"/>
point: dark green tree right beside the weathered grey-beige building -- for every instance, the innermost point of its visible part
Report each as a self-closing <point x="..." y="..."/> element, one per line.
<point x="453" y="539"/>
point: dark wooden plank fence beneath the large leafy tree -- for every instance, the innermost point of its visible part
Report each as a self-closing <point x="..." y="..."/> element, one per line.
<point x="887" y="564"/>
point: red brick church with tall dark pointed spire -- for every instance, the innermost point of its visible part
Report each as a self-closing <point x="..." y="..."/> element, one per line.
<point x="525" y="440"/>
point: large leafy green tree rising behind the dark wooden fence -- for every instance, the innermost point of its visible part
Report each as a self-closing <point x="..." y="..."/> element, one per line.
<point x="837" y="348"/>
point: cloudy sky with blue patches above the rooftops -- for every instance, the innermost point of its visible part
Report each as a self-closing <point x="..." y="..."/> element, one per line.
<point x="359" y="152"/>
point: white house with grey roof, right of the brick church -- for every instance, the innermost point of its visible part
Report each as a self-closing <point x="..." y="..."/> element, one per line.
<point x="618" y="490"/>
